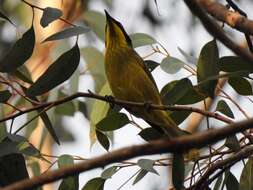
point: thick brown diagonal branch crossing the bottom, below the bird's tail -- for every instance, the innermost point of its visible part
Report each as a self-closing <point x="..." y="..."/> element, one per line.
<point x="155" y="147"/>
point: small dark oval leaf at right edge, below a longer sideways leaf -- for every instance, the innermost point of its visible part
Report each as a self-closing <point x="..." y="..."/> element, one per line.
<point x="240" y="85"/>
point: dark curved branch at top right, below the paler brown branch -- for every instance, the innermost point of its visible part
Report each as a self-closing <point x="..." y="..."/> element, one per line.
<point x="214" y="29"/>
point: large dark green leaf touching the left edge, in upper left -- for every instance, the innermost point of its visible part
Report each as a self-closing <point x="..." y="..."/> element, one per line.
<point x="19" y="53"/>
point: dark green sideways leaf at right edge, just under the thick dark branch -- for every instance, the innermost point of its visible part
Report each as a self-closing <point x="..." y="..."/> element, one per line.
<point x="234" y="64"/>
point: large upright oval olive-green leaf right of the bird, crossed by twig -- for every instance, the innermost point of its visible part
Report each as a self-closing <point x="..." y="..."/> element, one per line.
<point x="208" y="67"/>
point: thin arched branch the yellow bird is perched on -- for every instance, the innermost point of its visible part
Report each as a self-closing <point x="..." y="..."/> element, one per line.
<point x="122" y="103"/>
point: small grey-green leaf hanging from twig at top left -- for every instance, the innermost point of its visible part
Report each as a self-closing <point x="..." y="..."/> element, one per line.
<point x="49" y="15"/>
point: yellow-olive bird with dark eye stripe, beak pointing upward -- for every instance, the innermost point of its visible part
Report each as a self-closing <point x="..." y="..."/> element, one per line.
<point x="130" y="80"/>
